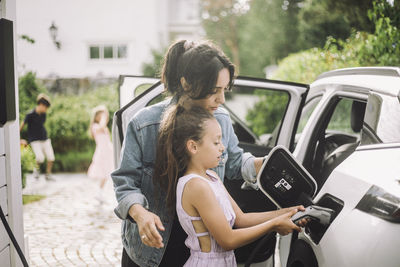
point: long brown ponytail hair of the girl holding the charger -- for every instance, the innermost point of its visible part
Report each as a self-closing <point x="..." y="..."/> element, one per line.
<point x="177" y="127"/>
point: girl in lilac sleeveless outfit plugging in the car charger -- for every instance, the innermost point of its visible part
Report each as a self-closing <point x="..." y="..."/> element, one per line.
<point x="189" y="145"/>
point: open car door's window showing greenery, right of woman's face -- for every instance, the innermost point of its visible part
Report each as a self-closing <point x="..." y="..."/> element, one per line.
<point x="261" y="110"/>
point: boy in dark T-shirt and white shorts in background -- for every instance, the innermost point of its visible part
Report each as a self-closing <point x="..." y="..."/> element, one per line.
<point x="37" y="135"/>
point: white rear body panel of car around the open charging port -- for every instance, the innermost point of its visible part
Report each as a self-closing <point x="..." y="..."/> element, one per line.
<point x="353" y="228"/>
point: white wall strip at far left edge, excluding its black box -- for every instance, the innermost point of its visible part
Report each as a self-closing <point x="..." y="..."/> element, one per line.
<point x="10" y="171"/>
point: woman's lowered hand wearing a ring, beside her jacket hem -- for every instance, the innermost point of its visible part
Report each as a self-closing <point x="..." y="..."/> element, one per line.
<point x="148" y="223"/>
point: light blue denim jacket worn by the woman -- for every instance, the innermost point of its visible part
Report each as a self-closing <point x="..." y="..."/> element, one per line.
<point x="133" y="181"/>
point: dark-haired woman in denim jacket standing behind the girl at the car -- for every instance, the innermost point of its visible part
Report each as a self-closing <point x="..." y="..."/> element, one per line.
<point x="196" y="75"/>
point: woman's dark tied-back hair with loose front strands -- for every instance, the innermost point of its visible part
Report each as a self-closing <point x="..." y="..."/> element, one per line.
<point x="199" y="64"/>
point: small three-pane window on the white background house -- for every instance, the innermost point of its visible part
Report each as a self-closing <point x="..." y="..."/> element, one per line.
<point x="102" y="51"/>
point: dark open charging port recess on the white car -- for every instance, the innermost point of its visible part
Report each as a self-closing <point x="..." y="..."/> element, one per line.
<point x="316" y="229"/>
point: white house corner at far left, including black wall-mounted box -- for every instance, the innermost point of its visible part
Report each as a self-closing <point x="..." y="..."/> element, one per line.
<point x="10" y="167"/>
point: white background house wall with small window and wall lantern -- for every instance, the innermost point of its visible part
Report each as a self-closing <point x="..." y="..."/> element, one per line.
<point x="137" y="24"/>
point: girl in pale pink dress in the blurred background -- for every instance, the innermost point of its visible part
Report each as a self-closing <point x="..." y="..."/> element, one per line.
<point x="102" y="162"/>
